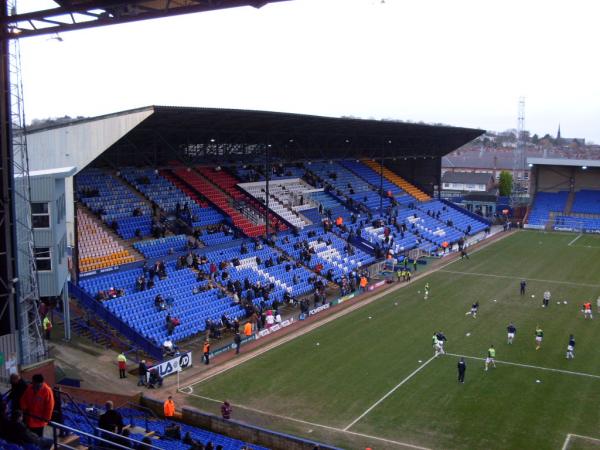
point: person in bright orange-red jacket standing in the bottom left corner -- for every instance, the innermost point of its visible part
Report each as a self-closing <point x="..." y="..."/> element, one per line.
<point x="37" y="404"/>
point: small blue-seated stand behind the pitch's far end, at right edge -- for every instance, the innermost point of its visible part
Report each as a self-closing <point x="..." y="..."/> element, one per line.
<point x="566" y="195"/>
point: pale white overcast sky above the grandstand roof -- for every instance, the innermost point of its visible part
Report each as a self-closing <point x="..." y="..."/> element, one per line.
<point x="460" y="62"/>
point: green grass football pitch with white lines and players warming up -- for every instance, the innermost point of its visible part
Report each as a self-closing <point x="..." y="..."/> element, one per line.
<point x="365" y="373"/>
